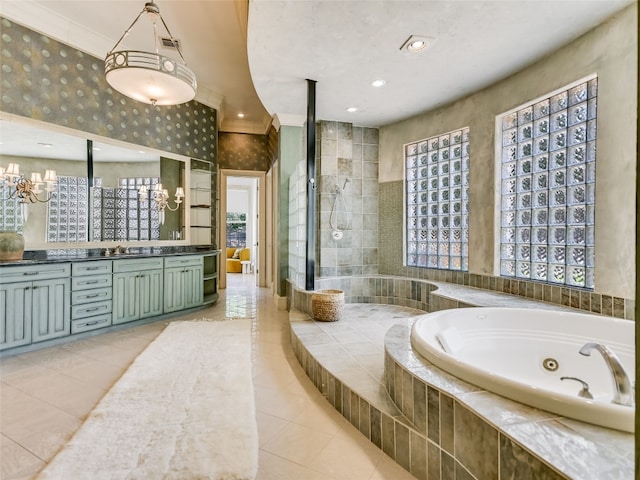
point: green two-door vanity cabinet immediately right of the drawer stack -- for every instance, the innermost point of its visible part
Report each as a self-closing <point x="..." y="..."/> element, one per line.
<point x="137" y="289"/>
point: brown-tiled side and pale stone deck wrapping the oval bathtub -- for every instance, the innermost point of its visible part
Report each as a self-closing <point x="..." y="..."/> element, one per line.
<point x="492" y="437"/>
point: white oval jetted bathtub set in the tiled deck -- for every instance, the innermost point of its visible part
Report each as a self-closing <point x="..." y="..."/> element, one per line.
<point x="522" y="354"/>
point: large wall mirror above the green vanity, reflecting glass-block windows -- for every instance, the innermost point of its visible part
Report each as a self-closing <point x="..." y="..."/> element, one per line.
<point x="97" y="194"/>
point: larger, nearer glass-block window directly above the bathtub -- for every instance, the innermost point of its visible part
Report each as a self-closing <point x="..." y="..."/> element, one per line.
<point x="548" y="188"/>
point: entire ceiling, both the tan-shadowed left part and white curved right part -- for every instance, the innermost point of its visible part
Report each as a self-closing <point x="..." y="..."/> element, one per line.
<point x="341" y="44"/>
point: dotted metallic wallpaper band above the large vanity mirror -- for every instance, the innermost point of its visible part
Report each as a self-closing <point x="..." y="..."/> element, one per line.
<point x="46" y="80"/>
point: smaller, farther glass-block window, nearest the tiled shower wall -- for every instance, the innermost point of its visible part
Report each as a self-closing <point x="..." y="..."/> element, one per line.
<point x="437" y="193"/>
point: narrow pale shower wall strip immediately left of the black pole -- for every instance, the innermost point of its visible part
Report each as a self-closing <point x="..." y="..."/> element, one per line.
<point x="298" y="225"/>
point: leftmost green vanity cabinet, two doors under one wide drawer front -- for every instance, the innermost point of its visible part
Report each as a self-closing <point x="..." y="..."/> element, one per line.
<point x="34" y="304"/>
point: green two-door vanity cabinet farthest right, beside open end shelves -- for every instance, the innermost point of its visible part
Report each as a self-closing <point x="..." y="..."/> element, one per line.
<point x="183" y="282"/>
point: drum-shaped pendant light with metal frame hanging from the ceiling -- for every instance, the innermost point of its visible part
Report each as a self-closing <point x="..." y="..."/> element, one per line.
<point x="150" y="77"/>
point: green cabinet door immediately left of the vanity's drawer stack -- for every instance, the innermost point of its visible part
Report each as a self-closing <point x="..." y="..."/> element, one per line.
<point x="51" y="315"/>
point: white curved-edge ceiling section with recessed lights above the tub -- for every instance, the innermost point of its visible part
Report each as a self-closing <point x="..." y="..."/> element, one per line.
<point x="345" y="45"/>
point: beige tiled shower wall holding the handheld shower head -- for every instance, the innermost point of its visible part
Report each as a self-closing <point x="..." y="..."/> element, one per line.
<point x="347" y="152"/>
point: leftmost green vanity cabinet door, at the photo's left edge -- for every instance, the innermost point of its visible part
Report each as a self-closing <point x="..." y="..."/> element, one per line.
<point x="15" y="314"/>
